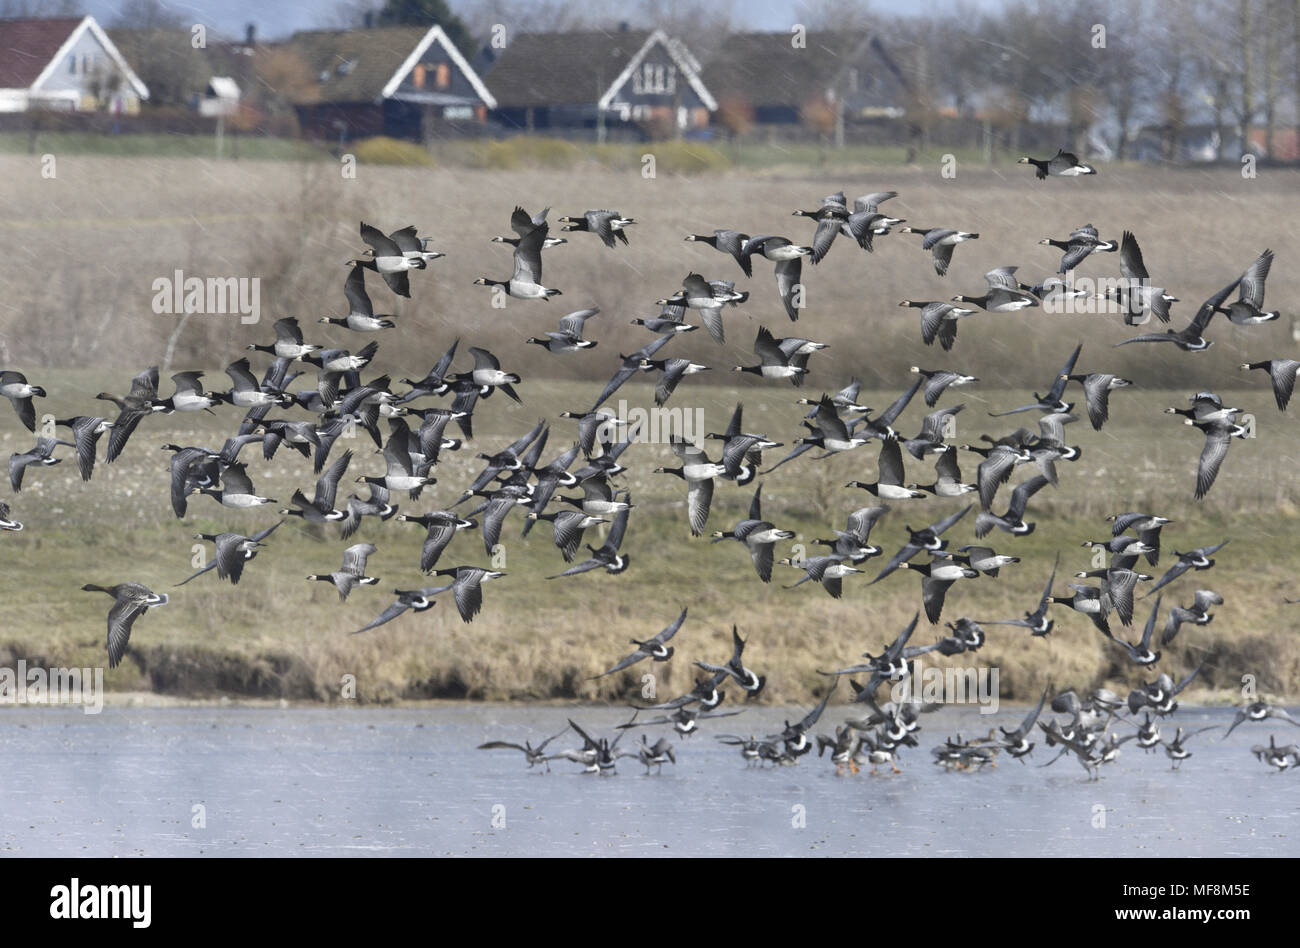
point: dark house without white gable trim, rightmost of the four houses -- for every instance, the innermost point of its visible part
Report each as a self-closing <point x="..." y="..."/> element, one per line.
<point x="774" y="81"/>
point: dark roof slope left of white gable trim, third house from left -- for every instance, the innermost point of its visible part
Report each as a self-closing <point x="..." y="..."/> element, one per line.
<point x="562" y="68"/>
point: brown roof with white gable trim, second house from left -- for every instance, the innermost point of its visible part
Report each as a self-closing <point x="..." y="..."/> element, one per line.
<point x="369" y="66"/>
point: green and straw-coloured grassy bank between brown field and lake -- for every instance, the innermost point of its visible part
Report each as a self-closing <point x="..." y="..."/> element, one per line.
<point x="278" y="635"/>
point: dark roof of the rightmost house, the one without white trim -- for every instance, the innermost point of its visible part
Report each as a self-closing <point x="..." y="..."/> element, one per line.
<point x="768" y="70"/>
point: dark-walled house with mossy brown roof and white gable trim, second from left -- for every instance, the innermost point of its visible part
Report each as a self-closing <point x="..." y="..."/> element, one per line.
<point x="400" y="81"/>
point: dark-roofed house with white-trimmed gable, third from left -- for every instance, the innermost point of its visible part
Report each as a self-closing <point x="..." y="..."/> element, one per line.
<point x="631" y="80"/>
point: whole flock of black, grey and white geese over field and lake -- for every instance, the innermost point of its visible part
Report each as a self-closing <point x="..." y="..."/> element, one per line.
<point x="519" y="477"/>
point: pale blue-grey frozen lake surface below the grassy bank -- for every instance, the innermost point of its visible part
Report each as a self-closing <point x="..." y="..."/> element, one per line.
<point x="410" y="782"/>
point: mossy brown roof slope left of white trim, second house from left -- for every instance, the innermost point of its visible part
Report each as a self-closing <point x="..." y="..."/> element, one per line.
<point x="357" y="63"/>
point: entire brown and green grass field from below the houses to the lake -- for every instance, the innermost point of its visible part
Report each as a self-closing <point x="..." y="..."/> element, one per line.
<point x="85" y="248"/>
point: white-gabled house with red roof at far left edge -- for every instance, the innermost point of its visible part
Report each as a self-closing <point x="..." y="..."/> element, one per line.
<point x="66" y="64"/>
